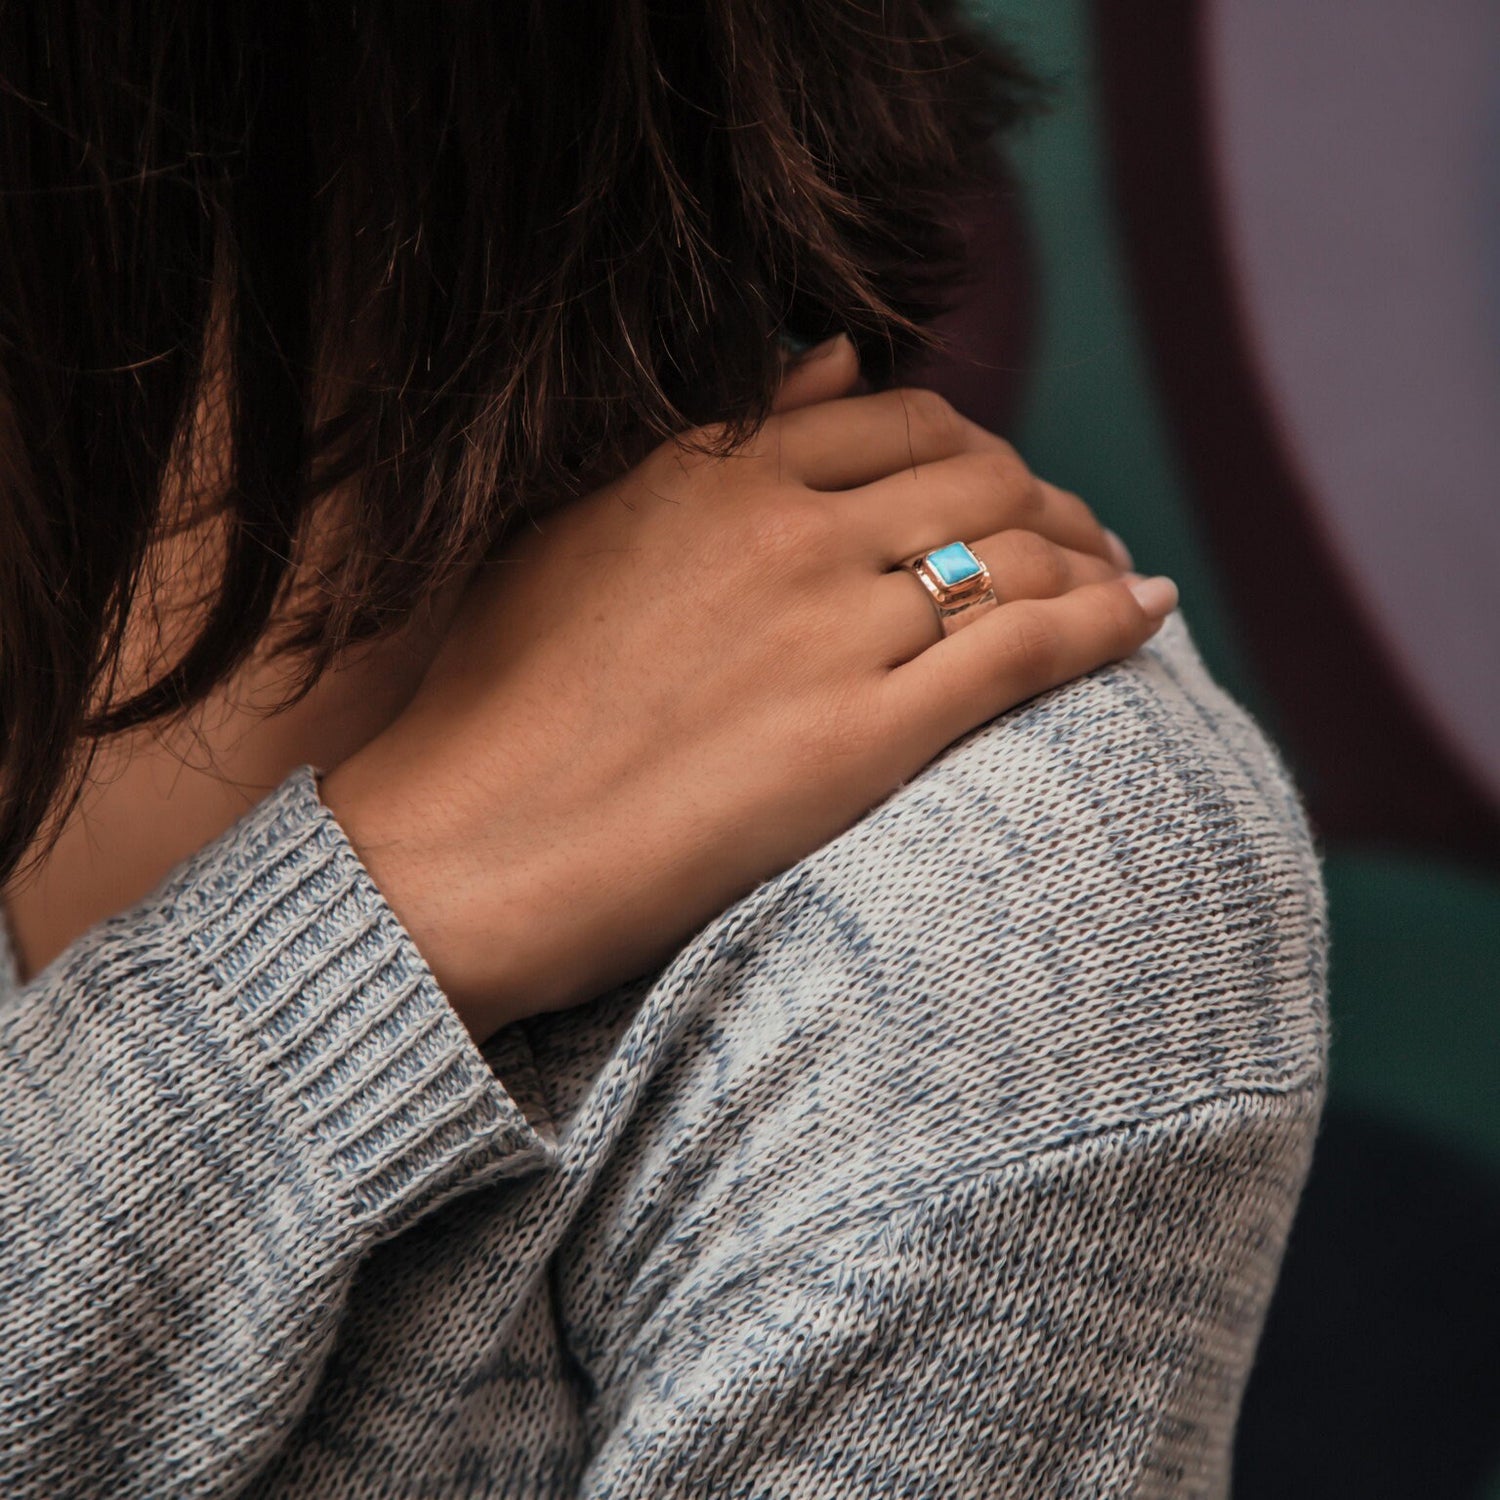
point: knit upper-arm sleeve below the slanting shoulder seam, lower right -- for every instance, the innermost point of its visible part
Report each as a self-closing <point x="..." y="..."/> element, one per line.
<point x="1075" y="1324"/>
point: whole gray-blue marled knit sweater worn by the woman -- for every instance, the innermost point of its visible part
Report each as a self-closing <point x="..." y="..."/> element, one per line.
<point x="958" y="1160"/>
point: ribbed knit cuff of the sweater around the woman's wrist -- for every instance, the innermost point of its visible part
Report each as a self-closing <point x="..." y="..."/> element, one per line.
<point x="352" y="1025"/>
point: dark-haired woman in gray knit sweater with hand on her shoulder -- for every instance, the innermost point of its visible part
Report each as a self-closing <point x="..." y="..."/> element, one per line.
<point x="883" y="1091"/>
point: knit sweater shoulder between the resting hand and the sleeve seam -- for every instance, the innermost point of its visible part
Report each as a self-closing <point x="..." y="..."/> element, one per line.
<point x="1097" y="913"/>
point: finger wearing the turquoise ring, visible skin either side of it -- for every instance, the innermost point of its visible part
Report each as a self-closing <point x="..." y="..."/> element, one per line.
<point x="1022" y="565"/>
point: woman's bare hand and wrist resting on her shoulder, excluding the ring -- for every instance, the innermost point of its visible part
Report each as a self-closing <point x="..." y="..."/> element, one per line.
<point x="694" y="677"/>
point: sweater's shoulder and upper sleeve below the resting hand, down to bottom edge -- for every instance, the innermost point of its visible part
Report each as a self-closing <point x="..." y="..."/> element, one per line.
<point x="971" y="1163"/>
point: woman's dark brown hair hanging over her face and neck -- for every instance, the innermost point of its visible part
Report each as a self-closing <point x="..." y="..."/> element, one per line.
<point x="518" y="241"/>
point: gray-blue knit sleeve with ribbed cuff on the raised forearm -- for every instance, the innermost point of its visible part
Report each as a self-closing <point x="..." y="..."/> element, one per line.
<point x="211" y="1109"/>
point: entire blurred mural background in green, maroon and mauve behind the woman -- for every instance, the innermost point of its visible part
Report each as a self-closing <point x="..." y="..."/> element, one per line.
<point x="1244" y="296"/>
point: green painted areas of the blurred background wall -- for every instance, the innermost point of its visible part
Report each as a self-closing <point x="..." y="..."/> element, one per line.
<point x="1415" y="949"/>
